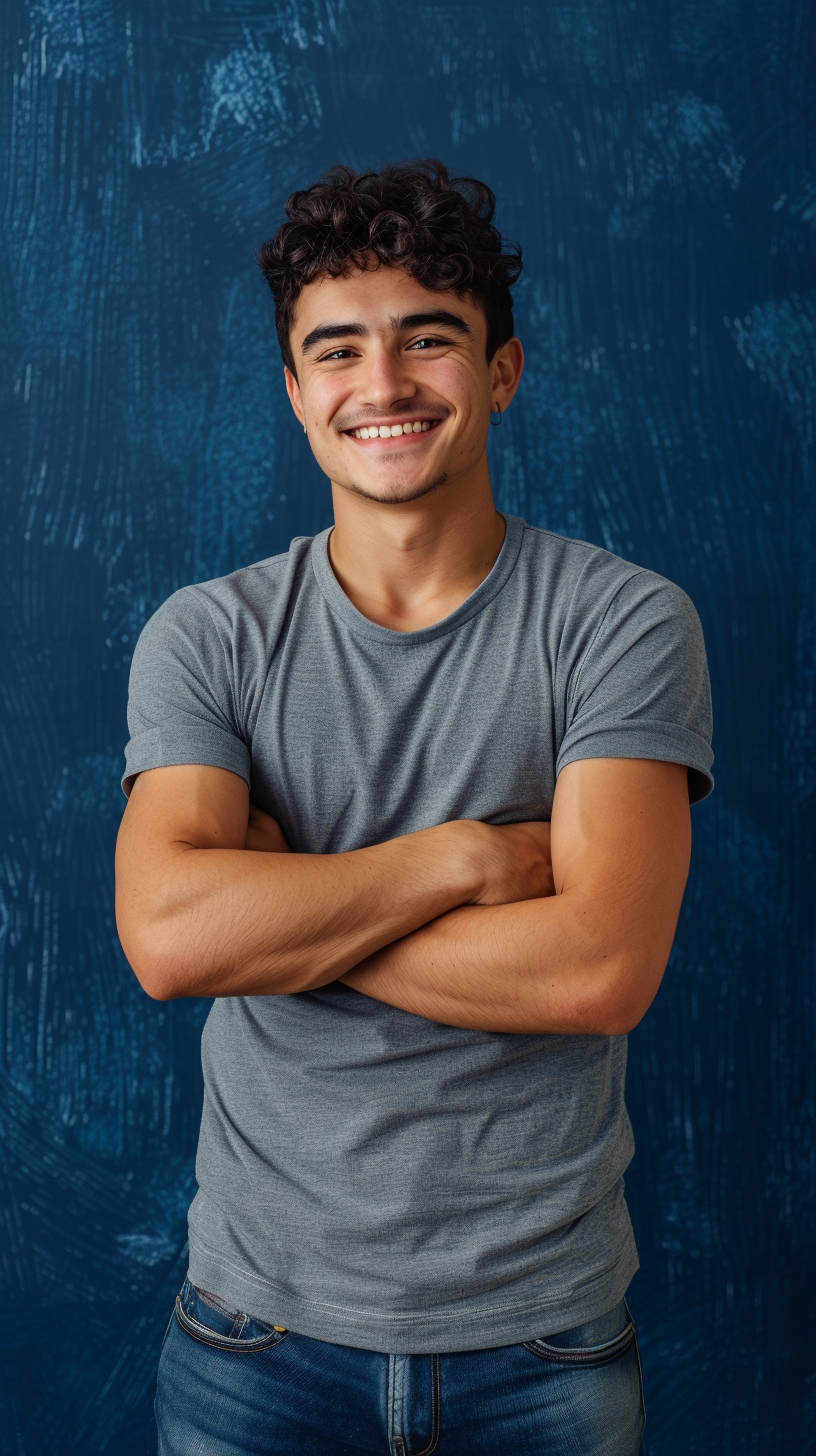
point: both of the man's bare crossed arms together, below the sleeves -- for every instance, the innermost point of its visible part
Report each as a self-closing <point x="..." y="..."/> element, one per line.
<point x="458" y="924"/>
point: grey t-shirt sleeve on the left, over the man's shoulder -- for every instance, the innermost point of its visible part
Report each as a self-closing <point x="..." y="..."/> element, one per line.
<point x="181" y="703"/>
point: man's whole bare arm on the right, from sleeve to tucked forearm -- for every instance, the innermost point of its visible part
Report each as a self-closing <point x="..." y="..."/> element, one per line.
<point x="589" y="959"/>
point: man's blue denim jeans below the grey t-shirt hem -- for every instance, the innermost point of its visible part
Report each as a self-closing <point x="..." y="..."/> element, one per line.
<point x="234" y="1387"/>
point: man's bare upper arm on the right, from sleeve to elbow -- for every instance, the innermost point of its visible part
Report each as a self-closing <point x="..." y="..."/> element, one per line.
<point x="621" y="847"/>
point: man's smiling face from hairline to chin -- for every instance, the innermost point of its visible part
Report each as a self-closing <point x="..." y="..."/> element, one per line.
<point x="393" y="382"/>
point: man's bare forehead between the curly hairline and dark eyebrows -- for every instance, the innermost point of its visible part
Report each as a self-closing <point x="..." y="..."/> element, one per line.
<point x="375" y="298"/>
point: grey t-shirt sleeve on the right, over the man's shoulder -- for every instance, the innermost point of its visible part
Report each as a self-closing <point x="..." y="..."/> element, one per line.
<point x="640" y="689"/>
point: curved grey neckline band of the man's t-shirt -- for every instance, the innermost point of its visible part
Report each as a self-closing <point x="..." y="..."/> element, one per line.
<point x="489" y="589"/>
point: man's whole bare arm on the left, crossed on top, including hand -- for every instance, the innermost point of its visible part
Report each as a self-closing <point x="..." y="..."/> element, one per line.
<point x="202" y="914"/>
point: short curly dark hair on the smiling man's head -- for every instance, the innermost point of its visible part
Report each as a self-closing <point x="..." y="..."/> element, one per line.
<point x="412" y="216"/>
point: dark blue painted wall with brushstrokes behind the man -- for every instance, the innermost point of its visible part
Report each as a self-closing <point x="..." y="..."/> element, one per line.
<point x="658" y="161"/>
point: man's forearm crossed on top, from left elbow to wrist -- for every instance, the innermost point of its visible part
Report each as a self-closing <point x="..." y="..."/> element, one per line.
<point x="225" y="922"/>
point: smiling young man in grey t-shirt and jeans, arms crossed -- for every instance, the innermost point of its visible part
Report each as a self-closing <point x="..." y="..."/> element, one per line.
<point x="412" y="803"/>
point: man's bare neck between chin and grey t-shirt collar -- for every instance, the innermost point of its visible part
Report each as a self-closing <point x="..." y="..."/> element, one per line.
<point x="410" y="566"/>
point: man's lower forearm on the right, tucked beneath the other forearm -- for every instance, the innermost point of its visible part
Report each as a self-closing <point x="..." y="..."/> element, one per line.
<point x="535" y="968"/>
